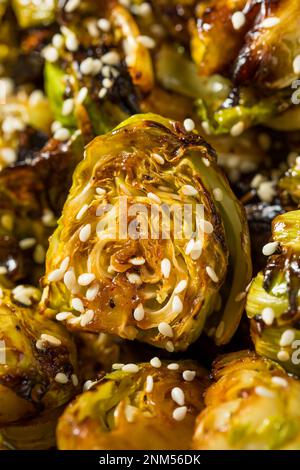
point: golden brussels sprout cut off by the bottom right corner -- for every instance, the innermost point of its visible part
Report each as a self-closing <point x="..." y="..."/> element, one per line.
<point x="253" y="405"/>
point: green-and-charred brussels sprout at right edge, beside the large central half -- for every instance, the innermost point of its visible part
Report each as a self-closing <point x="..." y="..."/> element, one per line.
<point x="273" y="300"/>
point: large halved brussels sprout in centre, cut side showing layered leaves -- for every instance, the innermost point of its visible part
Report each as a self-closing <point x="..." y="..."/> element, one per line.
<point x="152" y="234"/>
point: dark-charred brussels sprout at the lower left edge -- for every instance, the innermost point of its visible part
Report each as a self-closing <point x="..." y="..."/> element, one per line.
<point x="38" y="358"/>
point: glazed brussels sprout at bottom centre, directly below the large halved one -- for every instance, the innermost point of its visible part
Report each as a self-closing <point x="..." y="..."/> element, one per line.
<point x="139" y="407"/>
